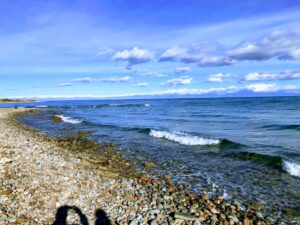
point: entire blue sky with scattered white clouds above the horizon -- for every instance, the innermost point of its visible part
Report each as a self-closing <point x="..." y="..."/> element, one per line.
<point x="61" y="49"/>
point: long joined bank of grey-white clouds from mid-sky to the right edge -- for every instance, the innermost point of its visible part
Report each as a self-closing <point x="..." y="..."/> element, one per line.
<point x="282" y="45"/>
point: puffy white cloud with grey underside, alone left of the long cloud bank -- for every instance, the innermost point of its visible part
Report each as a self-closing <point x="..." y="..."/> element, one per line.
<point x="134" y="56"/>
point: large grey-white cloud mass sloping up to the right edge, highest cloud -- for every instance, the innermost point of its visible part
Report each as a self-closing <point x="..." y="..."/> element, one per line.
<point x="278" y="44"/>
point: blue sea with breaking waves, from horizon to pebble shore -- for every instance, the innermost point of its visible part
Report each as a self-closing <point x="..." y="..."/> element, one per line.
<point x="241" y="148"/>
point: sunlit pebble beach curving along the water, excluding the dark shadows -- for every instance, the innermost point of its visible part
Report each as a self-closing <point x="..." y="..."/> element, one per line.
<point x="40" y="174"/>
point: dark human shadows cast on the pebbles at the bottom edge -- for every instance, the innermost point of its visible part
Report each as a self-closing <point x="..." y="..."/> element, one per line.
<point x="62" y="214"/>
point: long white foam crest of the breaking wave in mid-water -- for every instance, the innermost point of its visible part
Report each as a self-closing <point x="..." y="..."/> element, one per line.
<point x="183" y="138"/>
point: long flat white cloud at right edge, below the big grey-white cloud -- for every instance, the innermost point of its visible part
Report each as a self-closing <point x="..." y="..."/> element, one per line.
<point x="287" y="75"/>
